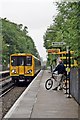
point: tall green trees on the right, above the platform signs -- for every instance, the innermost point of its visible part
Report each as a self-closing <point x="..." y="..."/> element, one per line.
<point x="66" y="27"/>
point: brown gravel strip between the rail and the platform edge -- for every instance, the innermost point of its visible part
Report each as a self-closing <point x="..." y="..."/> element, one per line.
<point x="9" y="99"/>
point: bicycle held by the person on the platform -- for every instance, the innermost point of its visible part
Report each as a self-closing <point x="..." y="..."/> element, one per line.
<point x="49" y="83"/>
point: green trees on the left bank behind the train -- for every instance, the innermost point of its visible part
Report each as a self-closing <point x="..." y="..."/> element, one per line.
<point x="15" y="40"/>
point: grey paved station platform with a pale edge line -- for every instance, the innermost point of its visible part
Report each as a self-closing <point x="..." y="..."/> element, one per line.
<point x="37" y="102"/>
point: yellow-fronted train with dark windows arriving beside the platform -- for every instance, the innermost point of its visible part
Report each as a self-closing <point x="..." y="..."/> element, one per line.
<point x="23" y="67"/>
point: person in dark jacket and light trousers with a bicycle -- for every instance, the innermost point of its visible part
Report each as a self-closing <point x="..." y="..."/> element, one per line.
<point x="60" y="68"/>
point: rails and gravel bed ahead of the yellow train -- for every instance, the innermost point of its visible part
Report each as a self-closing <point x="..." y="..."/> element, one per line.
<point x="9" y="93"/>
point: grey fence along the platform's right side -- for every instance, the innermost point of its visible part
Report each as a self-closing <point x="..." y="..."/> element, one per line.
<point x="75" y="83"/>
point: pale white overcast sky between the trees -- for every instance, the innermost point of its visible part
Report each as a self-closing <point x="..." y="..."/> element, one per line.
<point x="37" y="15"/>
